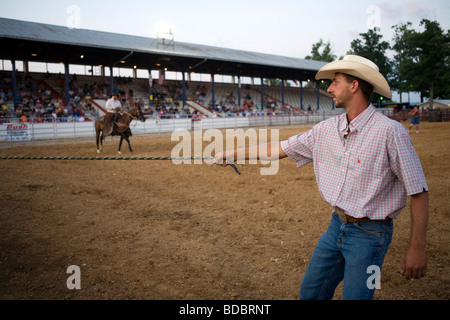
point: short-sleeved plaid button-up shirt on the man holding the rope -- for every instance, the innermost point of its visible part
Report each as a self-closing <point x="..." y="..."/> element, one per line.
<point x="368" y="173"/>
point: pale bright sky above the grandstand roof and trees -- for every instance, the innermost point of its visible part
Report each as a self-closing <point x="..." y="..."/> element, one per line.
<point x="280" y="27"/>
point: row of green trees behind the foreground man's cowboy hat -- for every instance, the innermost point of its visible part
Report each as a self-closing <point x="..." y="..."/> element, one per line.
<point x="420" y="62"/>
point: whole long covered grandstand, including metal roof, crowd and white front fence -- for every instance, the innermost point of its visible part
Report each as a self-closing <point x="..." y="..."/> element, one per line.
<point x="226" y="88"/>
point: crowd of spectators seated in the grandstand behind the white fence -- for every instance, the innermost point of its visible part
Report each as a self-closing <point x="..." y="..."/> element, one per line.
<point x="39" y="103"/>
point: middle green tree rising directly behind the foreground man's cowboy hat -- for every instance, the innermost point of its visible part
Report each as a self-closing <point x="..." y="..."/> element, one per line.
<point x="371" y="46"/>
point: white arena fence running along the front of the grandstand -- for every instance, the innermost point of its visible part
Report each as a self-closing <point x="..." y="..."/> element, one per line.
<point x="14" y="132"/>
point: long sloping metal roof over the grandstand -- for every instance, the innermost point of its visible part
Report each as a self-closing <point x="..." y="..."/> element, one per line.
<point x="30" y="41"/>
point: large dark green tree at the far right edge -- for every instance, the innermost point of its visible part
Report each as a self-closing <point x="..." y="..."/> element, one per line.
<point x="422" y="59"/>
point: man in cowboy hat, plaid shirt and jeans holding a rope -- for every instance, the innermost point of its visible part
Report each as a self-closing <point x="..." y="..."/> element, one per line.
<point x="365" y="166"/>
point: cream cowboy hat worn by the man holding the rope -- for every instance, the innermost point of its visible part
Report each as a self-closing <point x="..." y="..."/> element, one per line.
<point x="358" y="67"/>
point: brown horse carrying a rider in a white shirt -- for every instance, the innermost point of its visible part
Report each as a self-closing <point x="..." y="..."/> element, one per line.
<point x="121" y="128"/>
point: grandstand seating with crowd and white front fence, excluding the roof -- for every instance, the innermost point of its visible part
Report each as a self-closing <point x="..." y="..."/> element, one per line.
<point x="87" y="95"/>
